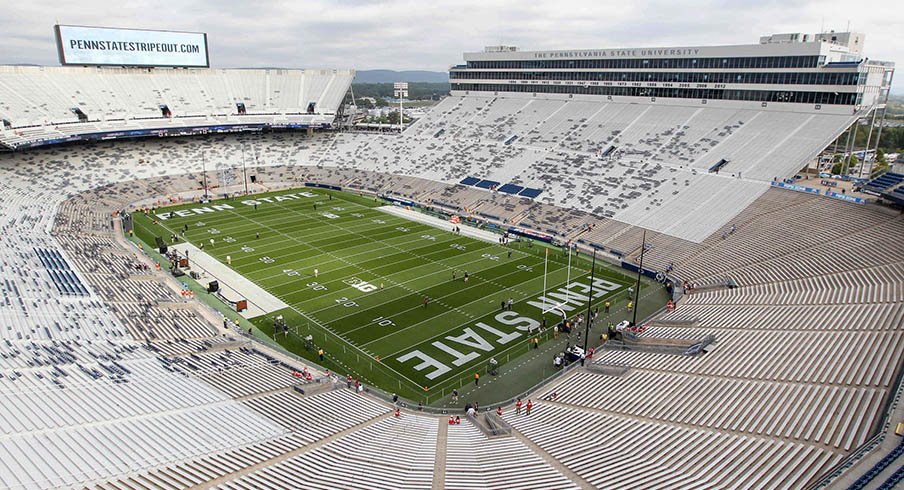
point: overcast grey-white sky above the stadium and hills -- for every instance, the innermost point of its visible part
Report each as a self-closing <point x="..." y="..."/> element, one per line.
<point x="432" y="34"/>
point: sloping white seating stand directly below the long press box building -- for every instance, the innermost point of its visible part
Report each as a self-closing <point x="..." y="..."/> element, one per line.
<point x="643" y="165"/>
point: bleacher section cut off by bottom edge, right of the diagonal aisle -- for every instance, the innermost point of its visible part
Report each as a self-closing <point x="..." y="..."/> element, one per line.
<point x="612" y="451"/>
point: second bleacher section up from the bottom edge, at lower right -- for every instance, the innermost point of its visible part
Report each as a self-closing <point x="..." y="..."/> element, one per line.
<point x="726" y="404"/>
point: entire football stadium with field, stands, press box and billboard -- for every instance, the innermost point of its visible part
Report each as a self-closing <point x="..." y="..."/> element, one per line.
<point x="614" y="268"/>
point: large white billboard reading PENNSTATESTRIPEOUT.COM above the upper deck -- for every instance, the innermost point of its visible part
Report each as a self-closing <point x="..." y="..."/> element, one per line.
<point x="79" y="45"/>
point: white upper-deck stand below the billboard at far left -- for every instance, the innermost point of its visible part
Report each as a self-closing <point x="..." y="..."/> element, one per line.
<point x="39" y="101"/>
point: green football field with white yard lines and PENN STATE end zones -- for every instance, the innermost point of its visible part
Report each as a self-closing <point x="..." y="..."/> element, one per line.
<point x="403" y="305"/>
